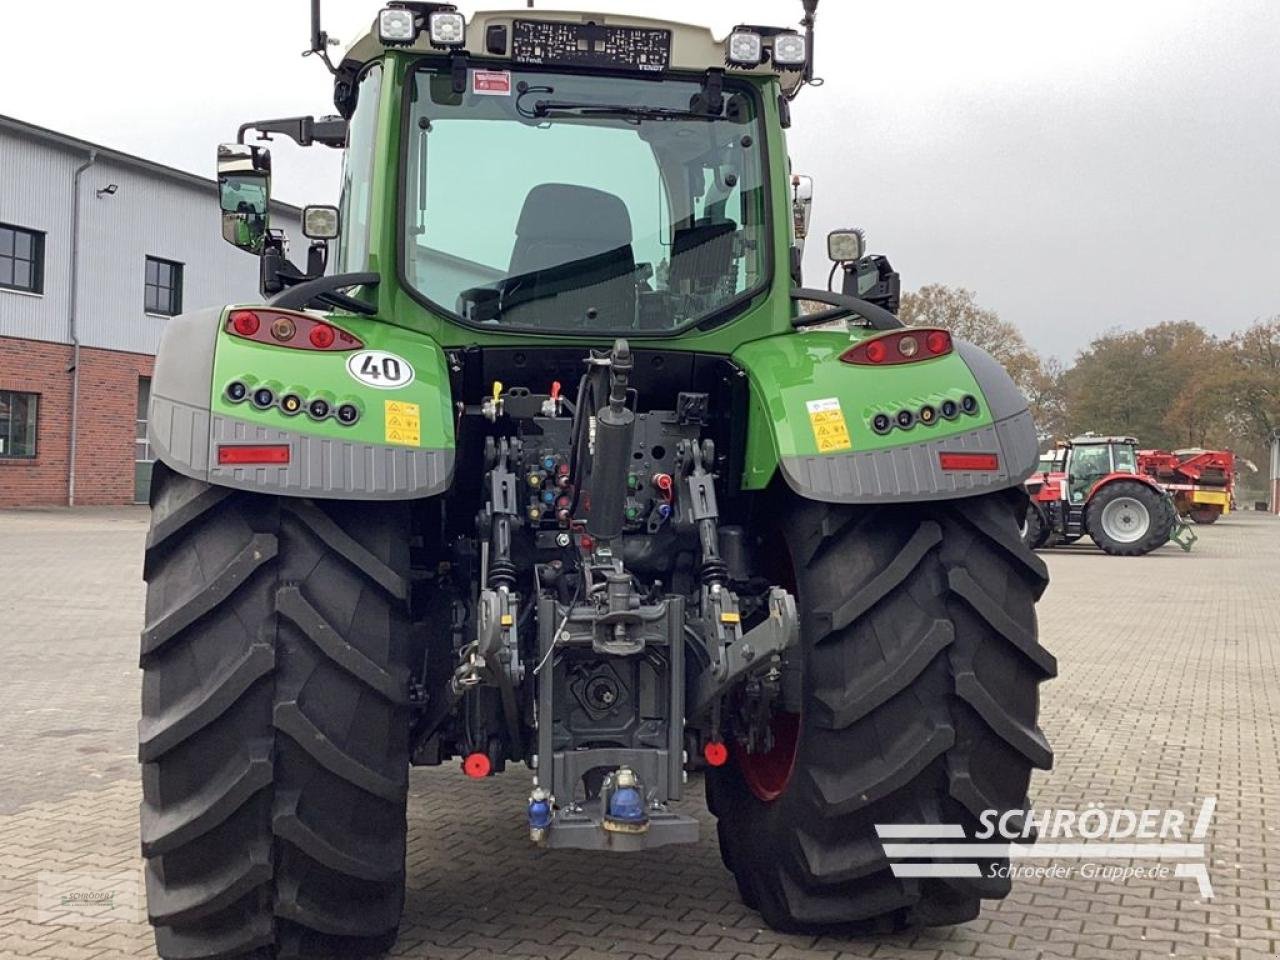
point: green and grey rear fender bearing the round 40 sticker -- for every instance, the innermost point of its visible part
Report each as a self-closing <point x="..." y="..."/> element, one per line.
<point x="190" y="417"/>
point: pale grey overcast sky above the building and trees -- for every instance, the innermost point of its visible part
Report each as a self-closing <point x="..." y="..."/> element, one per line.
<point x="1081" y="166"/>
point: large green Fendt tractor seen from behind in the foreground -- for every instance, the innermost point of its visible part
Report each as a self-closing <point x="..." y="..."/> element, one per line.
<point x="557" y="464"/>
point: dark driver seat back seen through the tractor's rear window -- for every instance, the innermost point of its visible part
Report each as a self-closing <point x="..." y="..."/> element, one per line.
<point x="573" y="254"/>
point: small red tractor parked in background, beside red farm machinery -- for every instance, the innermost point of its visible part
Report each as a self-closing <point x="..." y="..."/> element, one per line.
<point x="1092" y="486"/>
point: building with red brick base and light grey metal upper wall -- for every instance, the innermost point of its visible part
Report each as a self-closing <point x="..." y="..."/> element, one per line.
<point x="97" y="250"/>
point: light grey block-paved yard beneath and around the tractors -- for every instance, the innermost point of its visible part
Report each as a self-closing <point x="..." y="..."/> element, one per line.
<point x="1169" y="692"/>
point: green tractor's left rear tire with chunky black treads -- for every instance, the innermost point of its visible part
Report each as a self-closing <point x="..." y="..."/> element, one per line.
<point x="275" y="734"/>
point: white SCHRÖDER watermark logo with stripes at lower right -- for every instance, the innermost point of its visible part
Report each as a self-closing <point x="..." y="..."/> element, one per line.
<point x="1090" y="842"/>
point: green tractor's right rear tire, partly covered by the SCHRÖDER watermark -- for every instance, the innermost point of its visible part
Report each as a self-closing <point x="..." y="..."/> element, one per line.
<point x="921" y="673"/>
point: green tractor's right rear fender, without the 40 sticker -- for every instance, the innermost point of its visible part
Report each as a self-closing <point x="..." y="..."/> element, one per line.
<point x="812" y="415"/>
